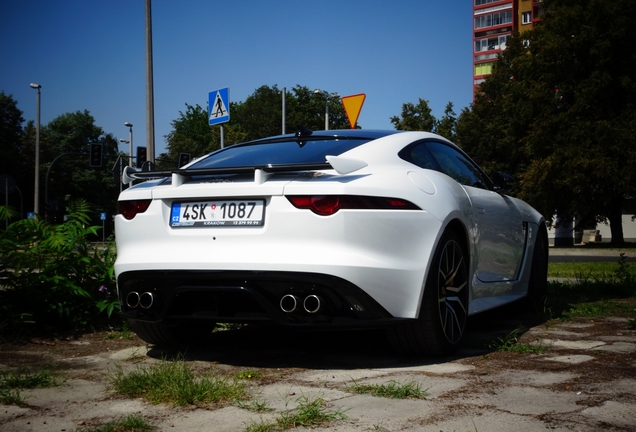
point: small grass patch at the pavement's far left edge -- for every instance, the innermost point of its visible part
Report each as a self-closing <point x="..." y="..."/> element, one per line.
<point x="11" y="382"/>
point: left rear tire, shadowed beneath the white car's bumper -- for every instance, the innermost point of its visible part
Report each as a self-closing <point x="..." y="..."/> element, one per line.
<point x="175" y="335"/>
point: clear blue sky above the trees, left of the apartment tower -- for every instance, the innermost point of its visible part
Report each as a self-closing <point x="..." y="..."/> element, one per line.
<point x="90" y="55"/>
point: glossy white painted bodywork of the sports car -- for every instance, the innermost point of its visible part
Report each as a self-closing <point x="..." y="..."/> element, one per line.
<point x="384" y="253"/>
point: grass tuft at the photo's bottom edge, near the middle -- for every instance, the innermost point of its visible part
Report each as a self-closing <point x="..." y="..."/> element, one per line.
<point x="308" y="413"/>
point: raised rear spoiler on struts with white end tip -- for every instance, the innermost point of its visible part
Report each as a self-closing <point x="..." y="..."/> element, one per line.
<point x="261" y="173"/>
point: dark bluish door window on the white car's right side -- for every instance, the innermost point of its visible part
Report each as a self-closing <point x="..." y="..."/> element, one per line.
<point x="454" y="164"/>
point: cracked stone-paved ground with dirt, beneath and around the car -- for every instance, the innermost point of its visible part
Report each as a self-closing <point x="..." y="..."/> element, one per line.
<point x="584" y="381"/>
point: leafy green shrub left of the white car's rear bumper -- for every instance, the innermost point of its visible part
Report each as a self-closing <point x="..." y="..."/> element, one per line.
<point x="53" y="276"/>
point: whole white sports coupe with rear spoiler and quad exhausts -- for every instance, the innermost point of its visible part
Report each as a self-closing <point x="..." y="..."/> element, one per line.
<point x="354" y="228"/>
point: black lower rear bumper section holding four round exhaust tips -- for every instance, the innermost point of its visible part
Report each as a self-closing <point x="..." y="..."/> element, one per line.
<point x="289" y="298"/>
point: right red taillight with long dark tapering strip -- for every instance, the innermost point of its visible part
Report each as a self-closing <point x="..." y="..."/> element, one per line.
<point x="326" y="205"/>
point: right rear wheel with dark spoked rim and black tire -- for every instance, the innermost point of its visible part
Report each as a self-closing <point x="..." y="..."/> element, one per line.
<point x="442" y="320"/>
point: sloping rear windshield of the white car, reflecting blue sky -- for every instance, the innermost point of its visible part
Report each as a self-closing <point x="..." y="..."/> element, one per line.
<point x="279" y="152"/>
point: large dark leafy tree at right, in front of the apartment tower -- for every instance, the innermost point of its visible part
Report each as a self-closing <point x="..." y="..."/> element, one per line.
<point x="564" y="108"/>
